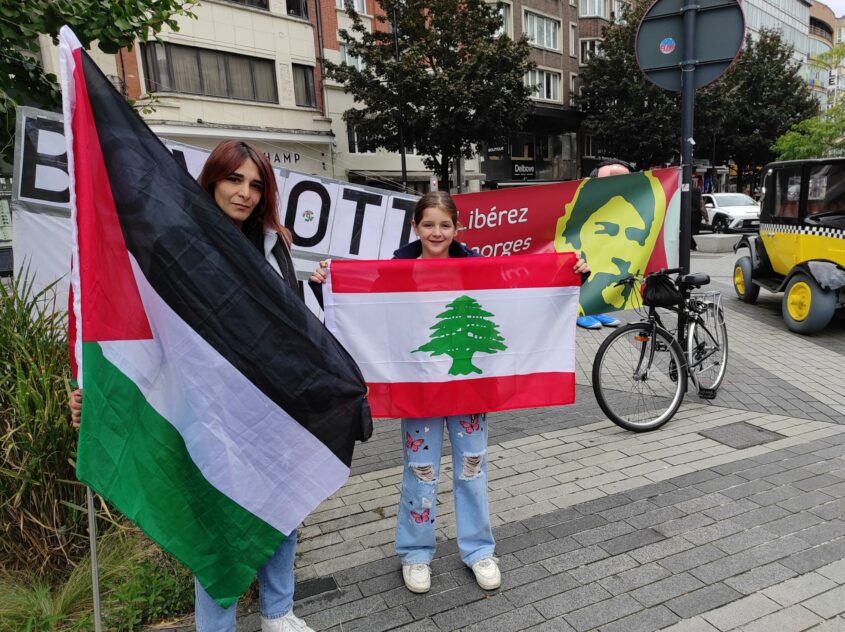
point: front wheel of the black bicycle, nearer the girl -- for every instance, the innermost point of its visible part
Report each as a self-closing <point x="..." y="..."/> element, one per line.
<point x="639" y="379"/>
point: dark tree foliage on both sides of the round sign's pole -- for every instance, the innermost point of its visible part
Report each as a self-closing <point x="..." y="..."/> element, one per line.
<point x="738" y="117"/>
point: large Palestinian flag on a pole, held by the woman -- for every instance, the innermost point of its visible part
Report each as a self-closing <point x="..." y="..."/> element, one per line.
<point x="217" y="410"/>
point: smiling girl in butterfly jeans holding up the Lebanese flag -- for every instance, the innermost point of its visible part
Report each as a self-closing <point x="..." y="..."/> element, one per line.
<point x="435" y="222"/>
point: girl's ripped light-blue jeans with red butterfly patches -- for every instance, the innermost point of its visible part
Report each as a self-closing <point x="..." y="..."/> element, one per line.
<point x="423" y="442"/>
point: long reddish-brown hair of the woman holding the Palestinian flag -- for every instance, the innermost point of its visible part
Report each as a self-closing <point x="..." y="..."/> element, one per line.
<point x="224" y="161"/>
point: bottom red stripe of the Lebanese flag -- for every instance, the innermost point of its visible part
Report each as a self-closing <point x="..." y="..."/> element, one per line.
<point x="414" y="399"/>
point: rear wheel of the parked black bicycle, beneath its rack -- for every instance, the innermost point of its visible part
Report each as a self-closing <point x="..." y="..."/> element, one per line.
<point x="707" y="349"/>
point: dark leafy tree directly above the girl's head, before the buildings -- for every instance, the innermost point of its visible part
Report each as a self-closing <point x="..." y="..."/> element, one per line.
<point x="460" y="83"/>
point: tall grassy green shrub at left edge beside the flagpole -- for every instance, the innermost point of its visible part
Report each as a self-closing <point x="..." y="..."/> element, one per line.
<point x="41" y="526"/>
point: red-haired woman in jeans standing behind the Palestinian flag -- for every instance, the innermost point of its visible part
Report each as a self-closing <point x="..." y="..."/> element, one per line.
<point x="243" y="185"/>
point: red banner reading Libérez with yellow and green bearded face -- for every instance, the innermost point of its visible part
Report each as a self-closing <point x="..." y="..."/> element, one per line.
<point x="621" y="225"/>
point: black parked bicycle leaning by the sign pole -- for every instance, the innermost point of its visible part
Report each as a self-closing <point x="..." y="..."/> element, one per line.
<point x="641" y="371"/>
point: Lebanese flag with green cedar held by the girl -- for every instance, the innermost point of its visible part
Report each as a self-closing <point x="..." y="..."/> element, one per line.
<point x="458" y="336"/>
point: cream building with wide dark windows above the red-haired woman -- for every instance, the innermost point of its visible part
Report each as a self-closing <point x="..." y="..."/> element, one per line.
<point x="242" y="69"/>
